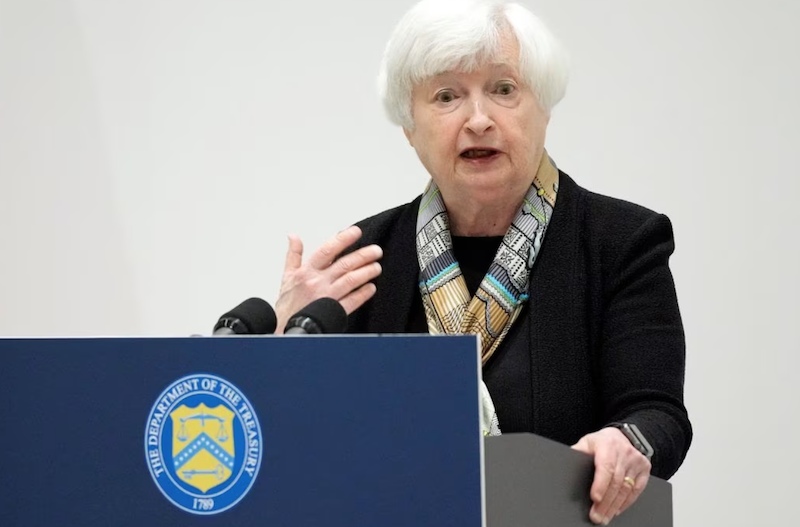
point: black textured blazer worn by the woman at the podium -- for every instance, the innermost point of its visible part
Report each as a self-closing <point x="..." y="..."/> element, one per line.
<point x="600" y="339"/>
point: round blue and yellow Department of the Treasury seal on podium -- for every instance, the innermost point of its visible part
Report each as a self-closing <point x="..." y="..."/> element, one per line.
<point x="203" y="444"/>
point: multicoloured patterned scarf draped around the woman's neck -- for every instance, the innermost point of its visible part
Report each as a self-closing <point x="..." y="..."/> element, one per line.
<point x="504" y="290"/>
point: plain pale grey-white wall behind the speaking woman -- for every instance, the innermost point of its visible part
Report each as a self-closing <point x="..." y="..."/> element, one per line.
<point x="155" y="153"/>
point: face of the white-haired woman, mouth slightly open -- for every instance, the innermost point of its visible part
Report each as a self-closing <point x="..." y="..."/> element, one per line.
<point x="480" y="134"/>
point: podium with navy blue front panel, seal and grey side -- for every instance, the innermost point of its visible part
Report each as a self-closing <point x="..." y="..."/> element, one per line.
<point x="286" y="431"/>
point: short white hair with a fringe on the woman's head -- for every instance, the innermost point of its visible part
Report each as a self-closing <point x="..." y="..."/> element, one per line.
<point x="436" y="36"/>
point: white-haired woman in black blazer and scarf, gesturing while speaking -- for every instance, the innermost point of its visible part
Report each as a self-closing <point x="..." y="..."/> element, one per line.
<point x="570" y="291"/>
